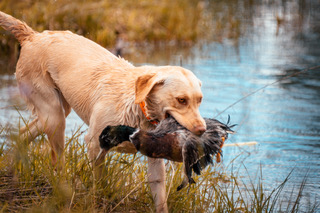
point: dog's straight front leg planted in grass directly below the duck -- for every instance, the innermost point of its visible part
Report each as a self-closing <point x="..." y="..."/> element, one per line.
<point x="157" y="182"/>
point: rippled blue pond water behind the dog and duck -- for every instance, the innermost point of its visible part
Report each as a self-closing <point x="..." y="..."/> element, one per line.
<point x="270" y="41"/>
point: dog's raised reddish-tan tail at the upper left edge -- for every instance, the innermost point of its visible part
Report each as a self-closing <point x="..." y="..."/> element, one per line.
<point x="19" y="29"/>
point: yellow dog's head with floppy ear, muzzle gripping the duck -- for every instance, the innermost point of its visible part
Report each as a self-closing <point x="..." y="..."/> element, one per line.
<point x="174" y="91"/>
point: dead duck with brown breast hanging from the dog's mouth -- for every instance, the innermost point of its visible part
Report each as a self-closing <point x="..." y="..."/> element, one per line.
<point x="172" y="141"/>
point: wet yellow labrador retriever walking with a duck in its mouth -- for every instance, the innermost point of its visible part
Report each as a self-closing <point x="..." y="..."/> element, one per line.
<point x="59" y="70"/>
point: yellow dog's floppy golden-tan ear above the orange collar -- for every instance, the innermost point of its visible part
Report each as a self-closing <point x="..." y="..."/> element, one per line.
<point x="144" y="85"/>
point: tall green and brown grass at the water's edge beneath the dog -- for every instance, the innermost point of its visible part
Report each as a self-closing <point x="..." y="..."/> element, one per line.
<point x="29" y="183"/>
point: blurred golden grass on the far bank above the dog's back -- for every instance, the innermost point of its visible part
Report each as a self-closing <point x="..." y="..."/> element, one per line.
<point x="98" y="20"/>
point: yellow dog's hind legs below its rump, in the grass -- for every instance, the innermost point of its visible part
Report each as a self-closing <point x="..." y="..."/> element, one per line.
<point x="50" y="109"/>
